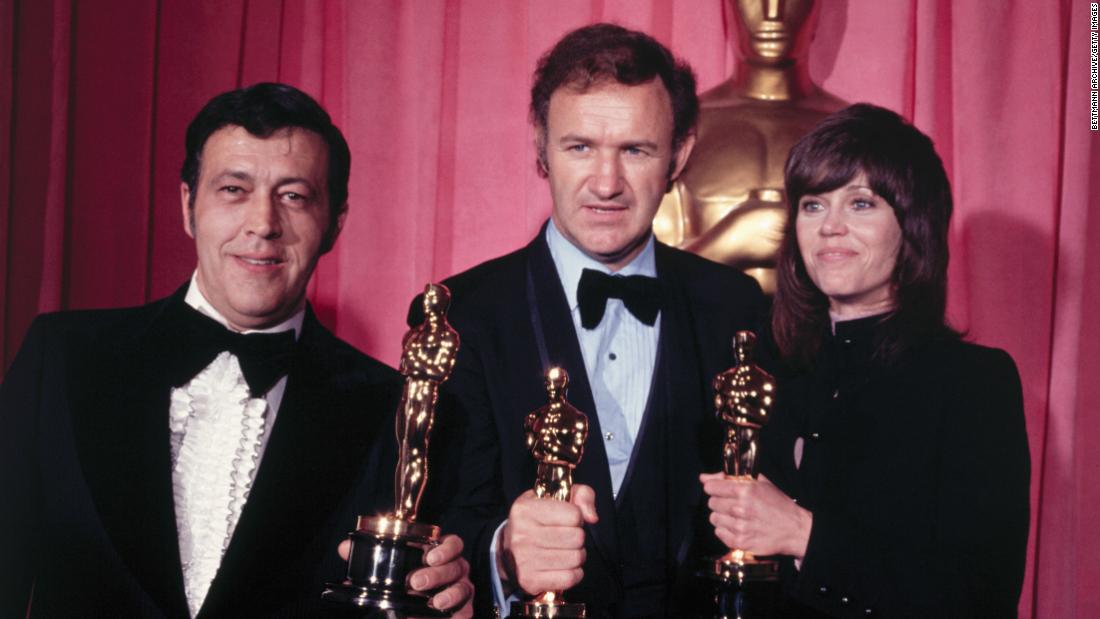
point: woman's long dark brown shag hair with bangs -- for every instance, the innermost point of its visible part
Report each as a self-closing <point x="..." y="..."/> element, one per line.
<point x="901" y="165"/>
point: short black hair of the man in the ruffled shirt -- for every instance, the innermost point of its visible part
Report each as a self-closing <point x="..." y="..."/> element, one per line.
<point x="263" y="109"/>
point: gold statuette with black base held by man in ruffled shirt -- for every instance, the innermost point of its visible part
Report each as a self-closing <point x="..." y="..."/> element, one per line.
<point x="387" y="549"/>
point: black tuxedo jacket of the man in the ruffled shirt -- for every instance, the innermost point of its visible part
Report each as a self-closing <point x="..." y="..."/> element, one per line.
<point x="87" y="521"/>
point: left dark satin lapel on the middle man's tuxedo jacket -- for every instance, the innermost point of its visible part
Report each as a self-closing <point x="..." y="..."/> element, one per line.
<point x="564" y="350"/>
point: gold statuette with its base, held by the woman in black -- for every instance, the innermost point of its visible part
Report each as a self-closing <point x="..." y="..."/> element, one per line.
<point x="744" y="399"/>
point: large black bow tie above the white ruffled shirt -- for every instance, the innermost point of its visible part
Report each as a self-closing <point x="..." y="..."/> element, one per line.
<point x="265" y="358"/>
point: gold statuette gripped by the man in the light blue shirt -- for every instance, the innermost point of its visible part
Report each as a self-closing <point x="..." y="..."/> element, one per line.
<point x="556" y="436"/>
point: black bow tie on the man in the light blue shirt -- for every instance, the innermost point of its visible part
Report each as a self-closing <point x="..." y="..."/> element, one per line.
<point x="640" y="294"/>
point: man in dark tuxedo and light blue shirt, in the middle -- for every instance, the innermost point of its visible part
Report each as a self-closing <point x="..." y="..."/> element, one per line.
<point x="641" y="328"/>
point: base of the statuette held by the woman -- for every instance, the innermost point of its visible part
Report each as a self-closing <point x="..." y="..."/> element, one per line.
<point x="745" y="588"/>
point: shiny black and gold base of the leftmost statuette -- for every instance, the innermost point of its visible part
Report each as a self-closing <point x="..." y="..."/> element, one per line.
<point x="384" y="551"/>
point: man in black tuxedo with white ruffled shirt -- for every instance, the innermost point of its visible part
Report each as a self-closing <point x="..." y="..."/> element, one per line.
<point x="205" y="455"/>
